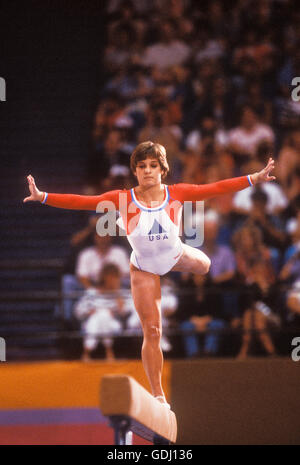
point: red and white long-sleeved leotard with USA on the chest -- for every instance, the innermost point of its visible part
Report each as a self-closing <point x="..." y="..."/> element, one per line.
<point x="153" y="232"/>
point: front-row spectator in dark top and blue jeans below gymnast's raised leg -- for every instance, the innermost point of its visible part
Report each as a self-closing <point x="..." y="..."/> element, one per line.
<point x="199" y="312"/>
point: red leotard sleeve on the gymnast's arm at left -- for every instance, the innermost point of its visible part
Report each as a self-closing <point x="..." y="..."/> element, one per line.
<point x="83" y="202"/>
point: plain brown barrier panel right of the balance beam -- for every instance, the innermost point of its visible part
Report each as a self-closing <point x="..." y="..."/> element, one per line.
<point x="230" y="402"/>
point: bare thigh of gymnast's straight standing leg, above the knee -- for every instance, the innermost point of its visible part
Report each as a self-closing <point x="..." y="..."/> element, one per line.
<point x="146" y="294"/>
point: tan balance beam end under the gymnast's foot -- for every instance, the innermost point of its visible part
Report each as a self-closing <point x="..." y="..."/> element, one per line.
<point x="131" y="408"/>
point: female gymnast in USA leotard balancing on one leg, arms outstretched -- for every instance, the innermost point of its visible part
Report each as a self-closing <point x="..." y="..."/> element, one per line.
<point x="157" y="249"/>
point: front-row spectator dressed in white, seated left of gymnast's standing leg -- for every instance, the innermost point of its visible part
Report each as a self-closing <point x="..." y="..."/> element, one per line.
<point x="103" y="310"/>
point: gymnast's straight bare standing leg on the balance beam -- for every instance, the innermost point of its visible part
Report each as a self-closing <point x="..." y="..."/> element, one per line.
<point x="146" y="293"/>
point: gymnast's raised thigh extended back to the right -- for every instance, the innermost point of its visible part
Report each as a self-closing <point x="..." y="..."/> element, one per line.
<point x="192" y="260"/>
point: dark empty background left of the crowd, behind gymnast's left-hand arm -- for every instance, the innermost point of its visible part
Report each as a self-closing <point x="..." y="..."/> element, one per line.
<point x="50" y="58"/>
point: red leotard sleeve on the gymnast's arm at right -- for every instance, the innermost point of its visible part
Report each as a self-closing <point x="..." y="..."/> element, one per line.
<point x="195" y="192"/>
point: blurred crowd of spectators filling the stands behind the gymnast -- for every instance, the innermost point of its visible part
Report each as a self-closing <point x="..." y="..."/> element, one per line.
<point x="212" y="82"/>
